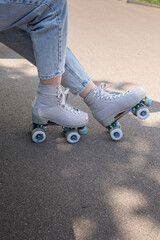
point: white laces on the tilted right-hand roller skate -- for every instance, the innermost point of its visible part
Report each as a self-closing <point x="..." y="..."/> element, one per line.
<point x="102" y="92"/>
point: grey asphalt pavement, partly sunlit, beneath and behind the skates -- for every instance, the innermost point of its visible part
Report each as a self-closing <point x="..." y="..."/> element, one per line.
<point x="97" y="189"/>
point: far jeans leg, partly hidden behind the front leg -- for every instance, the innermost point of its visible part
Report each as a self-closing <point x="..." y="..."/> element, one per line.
<point x="75" y="77"/>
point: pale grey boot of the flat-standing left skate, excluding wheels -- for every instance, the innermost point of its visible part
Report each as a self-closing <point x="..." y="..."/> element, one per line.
<point x="50" y="105"/>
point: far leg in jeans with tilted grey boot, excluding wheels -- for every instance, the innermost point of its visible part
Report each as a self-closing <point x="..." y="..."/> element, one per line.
<point x="102" y="104"/>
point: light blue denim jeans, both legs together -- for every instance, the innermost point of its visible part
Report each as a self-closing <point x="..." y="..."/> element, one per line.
<point x="37" y="30"/>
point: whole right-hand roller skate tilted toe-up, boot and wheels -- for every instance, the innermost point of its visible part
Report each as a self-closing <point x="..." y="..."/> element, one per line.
<point x="109" y="106"/>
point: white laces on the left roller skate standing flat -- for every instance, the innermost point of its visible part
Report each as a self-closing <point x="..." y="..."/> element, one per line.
<point x="62" y="96"/>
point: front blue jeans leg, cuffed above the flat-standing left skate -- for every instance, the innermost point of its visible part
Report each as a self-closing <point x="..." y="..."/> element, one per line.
<point x="46" y="22"/>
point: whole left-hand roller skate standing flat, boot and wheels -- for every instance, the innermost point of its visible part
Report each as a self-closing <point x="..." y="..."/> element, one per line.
<point x="50" y="108"/>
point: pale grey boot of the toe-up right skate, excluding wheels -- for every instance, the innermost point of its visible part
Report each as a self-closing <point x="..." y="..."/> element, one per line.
<point x="105" y="105"/>
